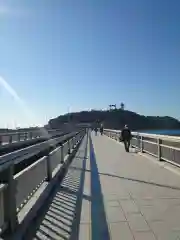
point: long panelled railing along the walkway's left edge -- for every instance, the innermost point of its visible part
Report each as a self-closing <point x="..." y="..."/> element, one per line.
<point x="16" y="190"/>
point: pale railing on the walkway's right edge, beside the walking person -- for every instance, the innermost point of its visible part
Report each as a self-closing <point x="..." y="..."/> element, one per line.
<point x="163" y="147"/>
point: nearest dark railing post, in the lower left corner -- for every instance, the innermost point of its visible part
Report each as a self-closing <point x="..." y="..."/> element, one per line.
<point x="10" y="215"/>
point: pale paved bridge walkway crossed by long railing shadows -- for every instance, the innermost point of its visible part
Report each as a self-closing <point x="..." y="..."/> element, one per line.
<point x="110" y="194"/>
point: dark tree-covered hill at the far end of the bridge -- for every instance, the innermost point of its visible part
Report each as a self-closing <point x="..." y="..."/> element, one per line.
<point x="115" y="119"/>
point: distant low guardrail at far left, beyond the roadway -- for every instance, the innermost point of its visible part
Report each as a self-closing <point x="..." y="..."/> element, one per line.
<point x="10" y="137"/>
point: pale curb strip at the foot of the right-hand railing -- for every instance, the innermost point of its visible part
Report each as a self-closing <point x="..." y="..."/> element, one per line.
<point x="170" y="166"/>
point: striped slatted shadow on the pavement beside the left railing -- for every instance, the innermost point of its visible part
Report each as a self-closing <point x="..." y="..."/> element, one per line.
<point x="60" y="217"/>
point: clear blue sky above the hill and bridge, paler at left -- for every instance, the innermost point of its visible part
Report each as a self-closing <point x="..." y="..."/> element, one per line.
<point x="83" y="54"/>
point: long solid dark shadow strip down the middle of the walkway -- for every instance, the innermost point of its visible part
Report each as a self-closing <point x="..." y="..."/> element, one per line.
<point x="99" y="225"/>
